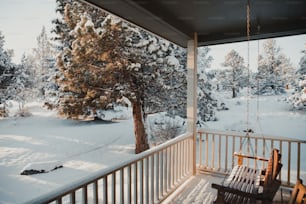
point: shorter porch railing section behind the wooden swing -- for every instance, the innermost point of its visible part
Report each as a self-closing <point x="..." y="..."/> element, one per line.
<point x="216" y="152"/>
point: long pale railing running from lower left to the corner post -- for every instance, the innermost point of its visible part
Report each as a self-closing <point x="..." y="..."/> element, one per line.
<point x="150" y="177"/>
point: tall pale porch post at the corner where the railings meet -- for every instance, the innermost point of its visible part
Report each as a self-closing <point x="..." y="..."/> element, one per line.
<point x="192" y="93"/>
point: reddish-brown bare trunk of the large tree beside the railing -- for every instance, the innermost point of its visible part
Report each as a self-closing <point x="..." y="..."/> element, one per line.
<point x="141" y="138"/>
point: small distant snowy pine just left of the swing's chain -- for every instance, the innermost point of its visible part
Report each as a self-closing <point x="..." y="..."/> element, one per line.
<point x="236" y="76"/>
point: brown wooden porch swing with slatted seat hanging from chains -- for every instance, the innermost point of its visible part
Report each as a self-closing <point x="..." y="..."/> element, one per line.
<point x="246" y="185"/>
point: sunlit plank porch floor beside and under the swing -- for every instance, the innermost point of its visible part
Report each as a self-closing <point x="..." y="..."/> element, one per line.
<point x="198" y="190"/>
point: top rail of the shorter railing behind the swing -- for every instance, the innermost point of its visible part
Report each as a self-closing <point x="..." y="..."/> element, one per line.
<point x="252" y="135"/>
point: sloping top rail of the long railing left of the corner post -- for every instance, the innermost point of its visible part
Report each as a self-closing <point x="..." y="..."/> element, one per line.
<point x="104" y="172"/>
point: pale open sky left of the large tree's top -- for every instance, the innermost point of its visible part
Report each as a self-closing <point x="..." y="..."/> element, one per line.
<point x="21" y="21"/>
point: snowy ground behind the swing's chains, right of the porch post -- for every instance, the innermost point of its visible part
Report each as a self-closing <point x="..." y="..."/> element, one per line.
<point x="272" y="117"/>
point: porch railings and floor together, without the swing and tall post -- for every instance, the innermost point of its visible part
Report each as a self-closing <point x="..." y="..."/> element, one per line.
<point x="181" y="170"/>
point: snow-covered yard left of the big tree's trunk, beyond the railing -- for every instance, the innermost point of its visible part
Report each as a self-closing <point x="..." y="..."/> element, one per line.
<point x="81" y="147"/>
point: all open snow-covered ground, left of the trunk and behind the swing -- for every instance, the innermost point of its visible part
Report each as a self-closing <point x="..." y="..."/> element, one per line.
<point x="85" y="147"/>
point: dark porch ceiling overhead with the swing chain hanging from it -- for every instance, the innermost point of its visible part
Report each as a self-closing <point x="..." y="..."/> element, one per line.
<point x="215" y="22"/>
